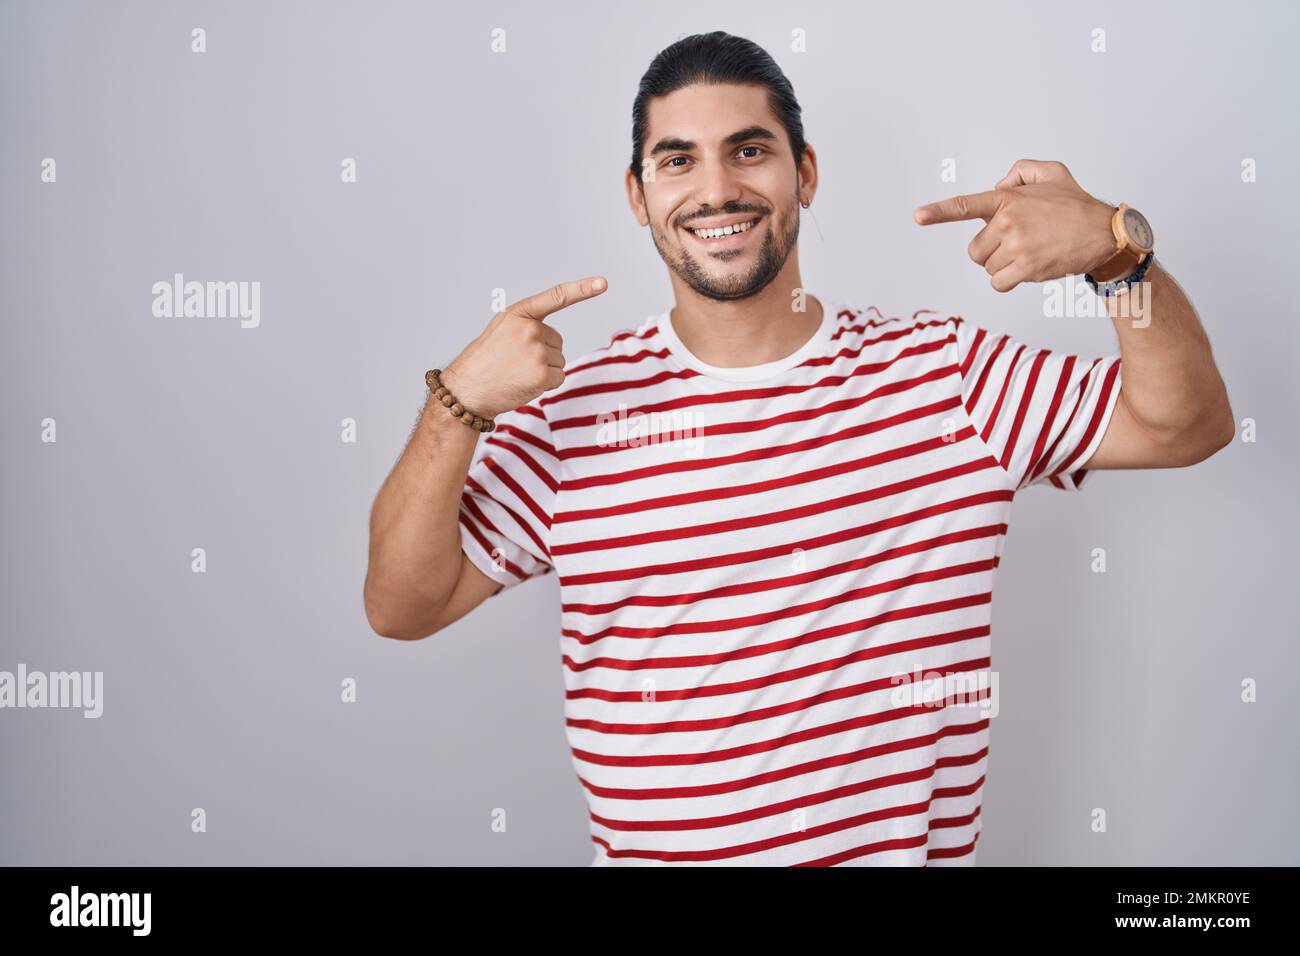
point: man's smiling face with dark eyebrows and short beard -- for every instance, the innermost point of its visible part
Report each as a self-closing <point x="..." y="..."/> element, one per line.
<point x="721" y="158"/>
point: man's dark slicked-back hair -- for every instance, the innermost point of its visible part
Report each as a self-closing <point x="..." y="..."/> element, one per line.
<point x="717" y="58"/>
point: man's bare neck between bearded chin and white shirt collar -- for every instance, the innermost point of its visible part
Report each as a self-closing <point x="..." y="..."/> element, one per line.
<point x="746" y="332"/>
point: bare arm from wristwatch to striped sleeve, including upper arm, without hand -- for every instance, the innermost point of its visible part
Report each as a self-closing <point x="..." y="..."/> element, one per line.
<point x="1173" y="408"/>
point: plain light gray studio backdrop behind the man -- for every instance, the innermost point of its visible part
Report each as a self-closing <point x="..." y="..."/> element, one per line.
<point x="480" y="171"/>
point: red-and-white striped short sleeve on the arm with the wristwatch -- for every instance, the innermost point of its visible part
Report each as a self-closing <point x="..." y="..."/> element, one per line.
<point x="1041" y="413"/>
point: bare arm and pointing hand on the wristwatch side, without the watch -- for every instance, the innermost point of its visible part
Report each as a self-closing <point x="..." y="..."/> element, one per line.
<point x="1173" y="408"/>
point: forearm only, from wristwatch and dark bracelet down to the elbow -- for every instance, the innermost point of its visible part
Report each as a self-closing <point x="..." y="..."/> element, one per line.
<point x="1171" y="383"/>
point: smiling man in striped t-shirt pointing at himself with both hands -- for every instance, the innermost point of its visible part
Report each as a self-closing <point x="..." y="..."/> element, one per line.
<point x="777" y="518"/>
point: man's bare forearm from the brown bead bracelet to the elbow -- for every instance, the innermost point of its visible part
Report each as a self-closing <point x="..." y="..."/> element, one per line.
<point x="415" y="535"/>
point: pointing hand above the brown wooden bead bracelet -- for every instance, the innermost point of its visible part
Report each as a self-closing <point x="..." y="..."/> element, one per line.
<point x="518" y="357"/>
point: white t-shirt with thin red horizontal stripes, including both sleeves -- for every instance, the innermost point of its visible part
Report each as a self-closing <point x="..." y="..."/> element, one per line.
<point x="777" y="581"/>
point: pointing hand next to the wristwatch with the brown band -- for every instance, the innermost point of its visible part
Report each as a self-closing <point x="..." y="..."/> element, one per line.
<point x="1039" y="226"/>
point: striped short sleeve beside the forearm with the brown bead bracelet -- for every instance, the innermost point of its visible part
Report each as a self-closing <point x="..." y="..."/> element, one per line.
<point x="509" y="496"/>
